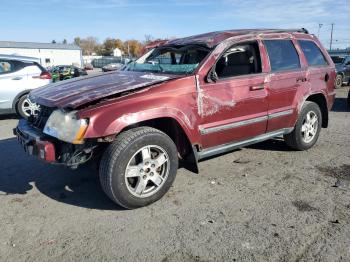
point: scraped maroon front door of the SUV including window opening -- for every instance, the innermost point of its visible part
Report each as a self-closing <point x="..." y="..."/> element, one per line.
<point x="233" y="107"/>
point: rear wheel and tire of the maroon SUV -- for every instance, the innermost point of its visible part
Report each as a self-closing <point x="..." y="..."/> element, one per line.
<point x="300" y="139"/>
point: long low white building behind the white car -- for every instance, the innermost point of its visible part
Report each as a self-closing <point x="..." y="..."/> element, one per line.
<point x="48" y="54"/>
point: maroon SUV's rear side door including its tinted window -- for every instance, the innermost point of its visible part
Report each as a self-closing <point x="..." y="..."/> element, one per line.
<point x="287" y="76"/>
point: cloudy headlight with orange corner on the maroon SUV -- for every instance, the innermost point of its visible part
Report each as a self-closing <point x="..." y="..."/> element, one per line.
<point x="66" y="127"/>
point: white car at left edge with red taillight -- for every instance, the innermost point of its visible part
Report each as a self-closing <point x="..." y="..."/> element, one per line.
<point x="19" y="75"/>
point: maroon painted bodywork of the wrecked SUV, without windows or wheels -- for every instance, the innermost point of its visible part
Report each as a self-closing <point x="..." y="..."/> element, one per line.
<point x="202" y="105"/>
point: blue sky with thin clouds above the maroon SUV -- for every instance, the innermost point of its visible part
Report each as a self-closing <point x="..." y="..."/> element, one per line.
<point x="43" y="21"/>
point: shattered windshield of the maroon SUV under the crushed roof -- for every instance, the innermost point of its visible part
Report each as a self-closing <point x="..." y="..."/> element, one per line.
<point x="170" y="60"/>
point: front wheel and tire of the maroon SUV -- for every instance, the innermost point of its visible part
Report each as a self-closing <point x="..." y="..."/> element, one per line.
<point x="129" y="150"/>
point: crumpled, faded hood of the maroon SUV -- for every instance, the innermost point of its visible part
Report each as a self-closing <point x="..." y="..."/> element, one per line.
<point x="79" y="91"/>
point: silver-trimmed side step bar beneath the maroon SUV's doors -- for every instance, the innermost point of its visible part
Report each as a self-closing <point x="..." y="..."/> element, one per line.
<point x="212" y="151"/>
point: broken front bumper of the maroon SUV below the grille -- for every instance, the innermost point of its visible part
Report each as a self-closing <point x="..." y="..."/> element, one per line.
<point x="34" y="142"/>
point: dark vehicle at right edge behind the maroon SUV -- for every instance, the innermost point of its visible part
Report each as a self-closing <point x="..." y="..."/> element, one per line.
<point x="342" y="68"/>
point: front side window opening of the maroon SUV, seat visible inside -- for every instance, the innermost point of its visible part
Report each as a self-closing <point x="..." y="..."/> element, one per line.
<point x="241" y="59"/>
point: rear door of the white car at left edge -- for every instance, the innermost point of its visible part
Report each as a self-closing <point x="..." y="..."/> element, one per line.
<point x="13" y="79"/>
